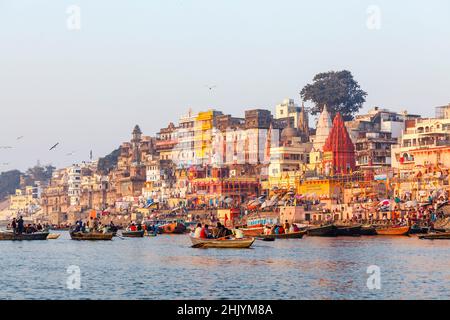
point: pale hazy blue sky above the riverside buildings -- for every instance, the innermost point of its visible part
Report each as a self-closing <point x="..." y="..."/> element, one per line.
<point x="147" y="62"/>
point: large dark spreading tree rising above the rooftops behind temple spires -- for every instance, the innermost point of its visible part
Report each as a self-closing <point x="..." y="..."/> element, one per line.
<point x="336" y="89"/>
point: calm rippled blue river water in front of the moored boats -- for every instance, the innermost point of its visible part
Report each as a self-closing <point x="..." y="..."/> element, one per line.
<point x="165" y="267"/>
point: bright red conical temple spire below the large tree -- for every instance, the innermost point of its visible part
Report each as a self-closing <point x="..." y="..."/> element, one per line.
<point x="340" y="144"/>
